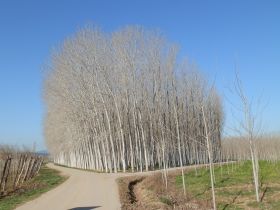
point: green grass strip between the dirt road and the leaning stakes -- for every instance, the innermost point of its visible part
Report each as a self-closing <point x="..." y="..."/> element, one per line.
<point x="43" y="182"/>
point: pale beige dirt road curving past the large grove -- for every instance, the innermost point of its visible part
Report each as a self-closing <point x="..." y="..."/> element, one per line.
<point x="82" y="191"/>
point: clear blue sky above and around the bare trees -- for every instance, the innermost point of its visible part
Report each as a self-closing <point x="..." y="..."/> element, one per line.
<point x="217" y="35"/>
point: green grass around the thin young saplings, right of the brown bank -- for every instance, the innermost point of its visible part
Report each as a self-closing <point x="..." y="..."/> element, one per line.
<point x="234" y="185"/>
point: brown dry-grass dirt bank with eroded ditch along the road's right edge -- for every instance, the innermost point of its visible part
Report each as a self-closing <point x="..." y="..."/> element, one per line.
<point x="149" y="192"/>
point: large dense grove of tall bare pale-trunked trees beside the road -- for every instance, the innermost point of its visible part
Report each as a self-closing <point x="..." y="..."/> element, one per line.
<point x="124" y="101"/>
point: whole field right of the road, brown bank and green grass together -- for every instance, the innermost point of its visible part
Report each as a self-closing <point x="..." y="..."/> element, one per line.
<point x="233" y="185"/>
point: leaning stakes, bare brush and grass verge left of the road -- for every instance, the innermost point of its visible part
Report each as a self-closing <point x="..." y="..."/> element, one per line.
<point x="24" y="176"/>
